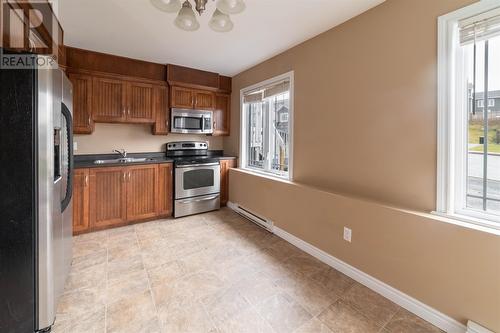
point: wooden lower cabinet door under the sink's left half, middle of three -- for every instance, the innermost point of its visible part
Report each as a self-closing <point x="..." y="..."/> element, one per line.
<point x="108" y="197"/>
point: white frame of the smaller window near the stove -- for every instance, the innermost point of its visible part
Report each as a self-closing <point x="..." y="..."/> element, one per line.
<point x="244" y="120"/>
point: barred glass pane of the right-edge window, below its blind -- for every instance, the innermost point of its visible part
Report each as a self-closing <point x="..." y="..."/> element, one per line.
<point x="483" y="184"/>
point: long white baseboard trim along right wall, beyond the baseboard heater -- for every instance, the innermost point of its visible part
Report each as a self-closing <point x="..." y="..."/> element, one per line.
<point x="418" y="308"/>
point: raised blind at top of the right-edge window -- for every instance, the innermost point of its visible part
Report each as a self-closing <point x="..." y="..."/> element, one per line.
<point x="480" y="27"/>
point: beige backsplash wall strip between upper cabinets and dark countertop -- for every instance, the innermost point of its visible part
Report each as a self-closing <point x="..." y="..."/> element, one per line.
<point x="133" y="138"/>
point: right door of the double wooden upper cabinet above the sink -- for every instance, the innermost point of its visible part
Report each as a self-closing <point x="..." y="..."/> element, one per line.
<point x="140" y="103"/>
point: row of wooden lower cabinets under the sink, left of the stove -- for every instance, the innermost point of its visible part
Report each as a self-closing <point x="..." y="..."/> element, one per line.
<point x="106" y="197"/>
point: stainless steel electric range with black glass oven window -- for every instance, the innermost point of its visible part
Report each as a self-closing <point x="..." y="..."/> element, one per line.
<point x="197" y="178"/>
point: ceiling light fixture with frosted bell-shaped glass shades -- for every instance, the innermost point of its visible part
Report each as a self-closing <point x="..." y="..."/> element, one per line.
<point x="186" y="17"/>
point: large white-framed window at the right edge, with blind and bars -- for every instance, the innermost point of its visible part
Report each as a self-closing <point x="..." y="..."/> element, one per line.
<point x="469" y="128"/>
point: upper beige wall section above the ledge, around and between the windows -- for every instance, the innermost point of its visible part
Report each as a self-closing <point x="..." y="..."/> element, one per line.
<point x="365" y="103"/>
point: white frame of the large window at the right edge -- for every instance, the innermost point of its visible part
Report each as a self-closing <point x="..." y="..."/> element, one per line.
<point x="451" y="127"/>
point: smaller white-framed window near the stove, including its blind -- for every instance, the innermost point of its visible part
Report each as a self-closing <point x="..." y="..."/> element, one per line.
<point x="266" y="127"/>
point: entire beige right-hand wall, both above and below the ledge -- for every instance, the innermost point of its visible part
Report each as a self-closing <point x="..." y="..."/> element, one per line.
<point x="365" y="127"/>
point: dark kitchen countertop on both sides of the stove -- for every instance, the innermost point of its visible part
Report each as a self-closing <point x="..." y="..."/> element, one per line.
<point x="87" y="161"/>
